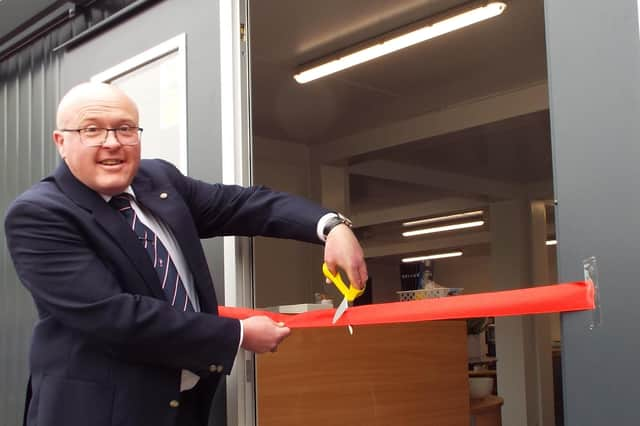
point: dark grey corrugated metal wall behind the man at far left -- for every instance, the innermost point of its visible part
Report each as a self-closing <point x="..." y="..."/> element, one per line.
<point x="28" y="96"/>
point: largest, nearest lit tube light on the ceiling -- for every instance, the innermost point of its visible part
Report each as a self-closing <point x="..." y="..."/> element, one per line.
<point x="401" y="38"/>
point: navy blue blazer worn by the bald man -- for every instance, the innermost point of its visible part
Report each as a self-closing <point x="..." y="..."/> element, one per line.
<point x="107" y="348"/>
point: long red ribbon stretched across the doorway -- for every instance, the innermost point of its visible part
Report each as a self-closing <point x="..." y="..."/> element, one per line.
<point x="566" y="297"/>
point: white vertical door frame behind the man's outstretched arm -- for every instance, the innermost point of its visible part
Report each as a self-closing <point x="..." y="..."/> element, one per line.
<point x="236" y="169"/>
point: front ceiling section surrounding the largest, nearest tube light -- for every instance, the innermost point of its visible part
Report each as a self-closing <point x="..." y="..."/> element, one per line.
<point x="489" y="57"/>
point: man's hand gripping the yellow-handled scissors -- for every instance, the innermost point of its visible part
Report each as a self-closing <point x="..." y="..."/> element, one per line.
<point x="342" y="250"/>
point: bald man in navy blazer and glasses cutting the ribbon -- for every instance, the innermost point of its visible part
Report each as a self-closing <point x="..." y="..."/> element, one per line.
<point x="108" y="246"/>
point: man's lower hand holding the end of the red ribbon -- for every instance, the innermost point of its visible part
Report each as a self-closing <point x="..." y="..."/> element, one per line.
<point x="262" y="334"/>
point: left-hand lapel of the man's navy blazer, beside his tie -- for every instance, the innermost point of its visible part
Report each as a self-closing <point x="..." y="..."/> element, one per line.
<point x="111" y="221"/>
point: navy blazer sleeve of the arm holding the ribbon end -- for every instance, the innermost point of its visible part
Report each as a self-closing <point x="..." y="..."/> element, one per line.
<point x="71" y="284"/>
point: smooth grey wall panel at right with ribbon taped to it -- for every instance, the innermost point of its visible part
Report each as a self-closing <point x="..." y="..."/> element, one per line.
<point x="594" y="78"/>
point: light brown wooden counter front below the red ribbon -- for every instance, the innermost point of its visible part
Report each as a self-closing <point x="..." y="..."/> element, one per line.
<point x="398" y="374"/>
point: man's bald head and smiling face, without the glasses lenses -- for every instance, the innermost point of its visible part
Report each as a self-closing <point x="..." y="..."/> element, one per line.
<point x="107" y="169"/>
